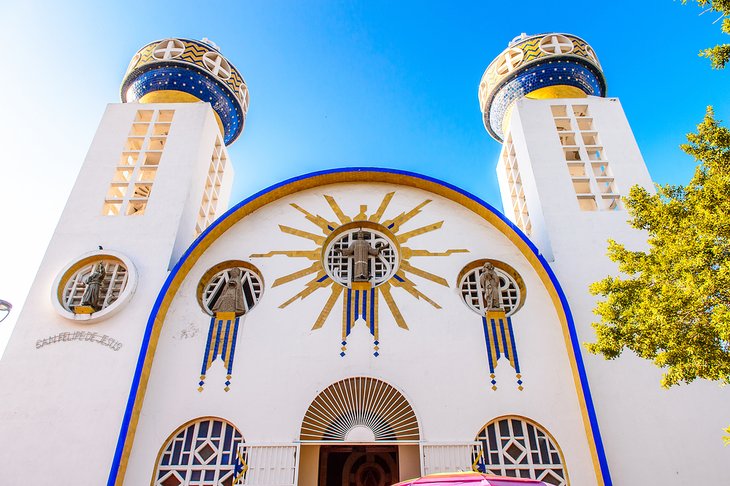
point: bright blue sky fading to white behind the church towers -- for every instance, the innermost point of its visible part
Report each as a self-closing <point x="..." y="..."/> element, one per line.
<point x="332" y="84"/>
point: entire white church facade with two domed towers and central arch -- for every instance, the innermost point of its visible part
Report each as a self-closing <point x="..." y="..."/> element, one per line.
<point x="353" y="326"/>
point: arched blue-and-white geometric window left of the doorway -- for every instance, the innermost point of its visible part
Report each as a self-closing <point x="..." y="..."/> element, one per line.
<point x="203" y="453"/>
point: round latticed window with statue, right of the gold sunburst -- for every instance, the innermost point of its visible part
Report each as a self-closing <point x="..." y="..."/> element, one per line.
<point x="508" y="295"/>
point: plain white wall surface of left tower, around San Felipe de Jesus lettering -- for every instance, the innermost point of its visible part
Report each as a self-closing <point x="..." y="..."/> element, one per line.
<point x="64" y="402"/>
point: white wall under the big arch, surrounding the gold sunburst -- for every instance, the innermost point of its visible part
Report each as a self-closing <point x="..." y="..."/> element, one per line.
<point x="440" y="364"/>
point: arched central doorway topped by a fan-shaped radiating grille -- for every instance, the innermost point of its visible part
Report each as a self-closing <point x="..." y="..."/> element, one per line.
<point x="361" y="426"/>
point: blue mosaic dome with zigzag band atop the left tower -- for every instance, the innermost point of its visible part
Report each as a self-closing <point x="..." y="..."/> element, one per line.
<point x="184" y="70"/>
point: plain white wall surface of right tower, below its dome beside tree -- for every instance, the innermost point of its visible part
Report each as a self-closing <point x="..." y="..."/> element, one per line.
<point x="652" y="436"/>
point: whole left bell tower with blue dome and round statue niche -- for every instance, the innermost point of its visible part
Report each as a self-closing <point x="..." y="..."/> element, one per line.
<point x="156" y="176"/>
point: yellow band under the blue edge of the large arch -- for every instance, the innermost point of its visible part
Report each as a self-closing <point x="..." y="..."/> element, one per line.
<point x="362" y="176"/>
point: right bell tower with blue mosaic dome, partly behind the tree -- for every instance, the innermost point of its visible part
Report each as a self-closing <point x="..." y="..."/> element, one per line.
<point x="568" y="157"/>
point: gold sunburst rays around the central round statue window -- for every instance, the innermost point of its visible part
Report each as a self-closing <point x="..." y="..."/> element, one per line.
<point x="322" y="280"/>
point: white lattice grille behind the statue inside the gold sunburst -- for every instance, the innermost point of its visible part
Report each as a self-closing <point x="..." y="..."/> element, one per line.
<point x="382" y="267"/>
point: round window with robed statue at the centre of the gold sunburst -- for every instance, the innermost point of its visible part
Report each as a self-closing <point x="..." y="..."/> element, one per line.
<point x="366" y="253"/>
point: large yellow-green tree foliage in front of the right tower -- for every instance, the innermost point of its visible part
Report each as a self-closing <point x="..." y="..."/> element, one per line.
<point x="672" y="304"/>
